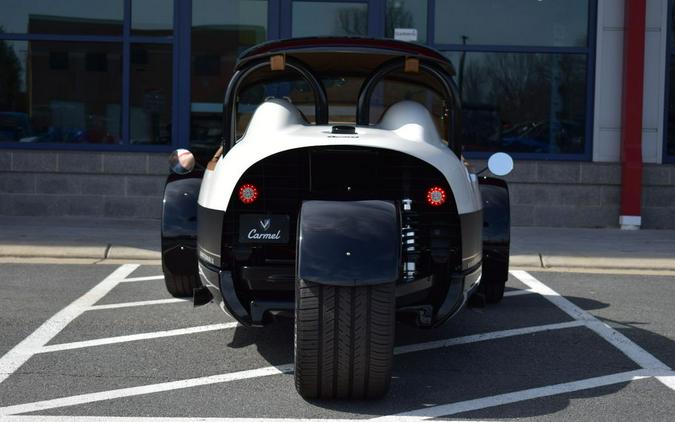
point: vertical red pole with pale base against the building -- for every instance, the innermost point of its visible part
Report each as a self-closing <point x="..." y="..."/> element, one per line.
<point x="631" y="132"/>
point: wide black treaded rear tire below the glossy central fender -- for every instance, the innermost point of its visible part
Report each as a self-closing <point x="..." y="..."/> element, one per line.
<point x="344" y="340"/>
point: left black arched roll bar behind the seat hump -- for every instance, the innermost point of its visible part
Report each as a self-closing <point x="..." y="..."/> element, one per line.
<point x="229" y="115"/>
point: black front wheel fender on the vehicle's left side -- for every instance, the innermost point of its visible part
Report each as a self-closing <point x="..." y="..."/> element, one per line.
<point x="179" y="223"/>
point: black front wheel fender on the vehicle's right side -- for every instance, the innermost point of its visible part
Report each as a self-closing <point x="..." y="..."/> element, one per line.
<point x="496" y="228"/>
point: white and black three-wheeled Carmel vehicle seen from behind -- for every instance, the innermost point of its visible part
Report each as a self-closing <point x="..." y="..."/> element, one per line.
<point x="339" y="196"/>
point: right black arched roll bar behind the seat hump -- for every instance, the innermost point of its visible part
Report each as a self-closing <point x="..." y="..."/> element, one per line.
<point x="450" y="95"/>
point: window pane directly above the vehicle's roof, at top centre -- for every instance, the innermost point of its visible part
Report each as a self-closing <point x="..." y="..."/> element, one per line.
<point x="311" y="19"/>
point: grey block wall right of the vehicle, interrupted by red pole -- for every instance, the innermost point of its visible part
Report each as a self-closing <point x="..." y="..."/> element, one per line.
<point x="580" y="194"/>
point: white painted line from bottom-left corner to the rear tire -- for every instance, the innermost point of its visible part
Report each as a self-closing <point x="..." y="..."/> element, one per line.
<point x="144" y="389"/>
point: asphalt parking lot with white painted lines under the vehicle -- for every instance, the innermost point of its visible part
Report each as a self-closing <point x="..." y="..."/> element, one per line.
<point x="91" y="342"/>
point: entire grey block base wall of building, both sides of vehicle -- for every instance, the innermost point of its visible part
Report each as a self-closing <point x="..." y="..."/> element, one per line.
<point x="130" y="185"/>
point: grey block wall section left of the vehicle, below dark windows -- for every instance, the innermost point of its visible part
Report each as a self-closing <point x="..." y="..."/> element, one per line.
<point x="58" y="183"/>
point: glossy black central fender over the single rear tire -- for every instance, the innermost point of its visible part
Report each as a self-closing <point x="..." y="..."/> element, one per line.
<point x="349" y="243"/>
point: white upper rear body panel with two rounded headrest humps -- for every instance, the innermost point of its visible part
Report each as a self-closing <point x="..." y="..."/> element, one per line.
<point x="277" y="126"/>
